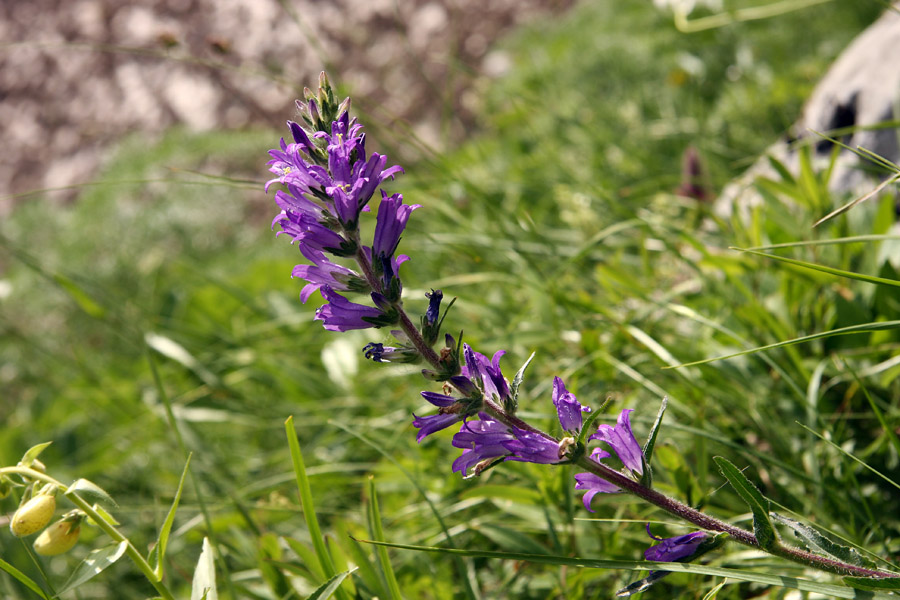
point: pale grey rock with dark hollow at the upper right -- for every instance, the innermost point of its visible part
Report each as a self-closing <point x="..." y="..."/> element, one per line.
<point x="860" y="91"/>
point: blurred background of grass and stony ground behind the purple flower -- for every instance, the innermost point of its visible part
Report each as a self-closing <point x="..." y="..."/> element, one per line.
<point x="547" y="142"/>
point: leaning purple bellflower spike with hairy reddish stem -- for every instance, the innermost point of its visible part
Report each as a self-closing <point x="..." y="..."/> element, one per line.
<point x="328" y="181"/>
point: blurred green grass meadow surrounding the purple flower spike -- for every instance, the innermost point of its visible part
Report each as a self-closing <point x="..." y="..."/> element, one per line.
<point x="557" y="227"/>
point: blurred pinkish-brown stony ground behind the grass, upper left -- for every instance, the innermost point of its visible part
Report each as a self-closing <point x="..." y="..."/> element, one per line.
<point x="77" y="75"/>
